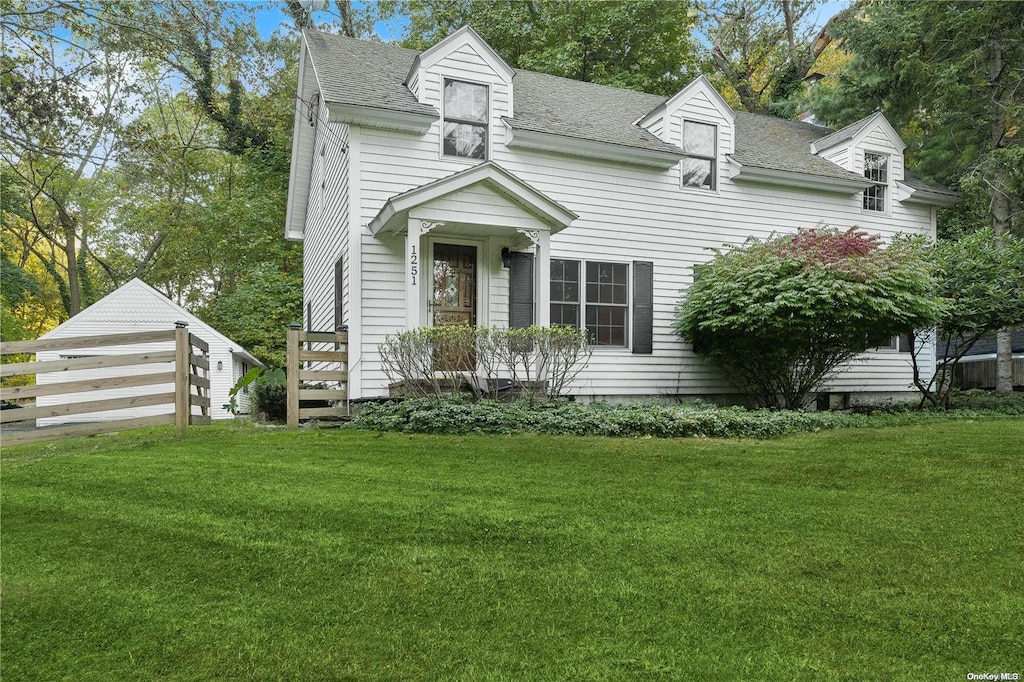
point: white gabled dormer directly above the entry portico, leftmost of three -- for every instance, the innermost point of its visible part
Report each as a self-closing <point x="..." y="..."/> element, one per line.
<point x="464" y="79"/>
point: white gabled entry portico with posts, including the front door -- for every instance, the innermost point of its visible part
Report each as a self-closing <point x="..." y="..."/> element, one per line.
<point x="454" y="227"/>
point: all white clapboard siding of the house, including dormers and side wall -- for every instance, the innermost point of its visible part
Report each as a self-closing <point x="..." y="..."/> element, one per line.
<point x="626" y="214"/>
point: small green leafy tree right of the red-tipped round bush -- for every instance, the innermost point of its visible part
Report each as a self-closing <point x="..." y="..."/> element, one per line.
<point x="982" y="284"/>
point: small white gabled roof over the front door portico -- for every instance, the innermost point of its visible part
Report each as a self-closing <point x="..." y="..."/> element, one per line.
<point x="486" y="195"/>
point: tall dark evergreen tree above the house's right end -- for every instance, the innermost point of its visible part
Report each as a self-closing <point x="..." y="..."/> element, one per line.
<point x="949" y="75"/>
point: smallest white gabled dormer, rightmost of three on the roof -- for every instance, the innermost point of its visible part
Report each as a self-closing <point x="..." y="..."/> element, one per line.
<point x="870" y="148"/>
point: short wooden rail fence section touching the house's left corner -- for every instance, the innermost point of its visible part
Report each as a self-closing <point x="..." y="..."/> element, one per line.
<point x="298" y="375"/>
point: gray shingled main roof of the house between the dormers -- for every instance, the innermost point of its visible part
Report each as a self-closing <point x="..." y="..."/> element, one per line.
<point x="369" y="74"/>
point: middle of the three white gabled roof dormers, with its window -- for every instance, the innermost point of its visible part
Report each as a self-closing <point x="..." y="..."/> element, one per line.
<point x="700" y="122"/>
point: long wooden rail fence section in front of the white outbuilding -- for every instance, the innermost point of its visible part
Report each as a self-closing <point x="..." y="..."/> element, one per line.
<point x="192" y="371"/>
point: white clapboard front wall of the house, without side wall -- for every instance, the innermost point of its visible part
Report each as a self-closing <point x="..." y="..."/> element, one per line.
<point x="626" y="214"/>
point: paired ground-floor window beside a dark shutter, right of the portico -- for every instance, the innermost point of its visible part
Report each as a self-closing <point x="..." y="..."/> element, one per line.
<point x="604" y="300"/>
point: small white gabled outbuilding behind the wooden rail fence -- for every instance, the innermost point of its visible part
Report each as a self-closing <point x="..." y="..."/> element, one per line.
<point x="139" y="308"/>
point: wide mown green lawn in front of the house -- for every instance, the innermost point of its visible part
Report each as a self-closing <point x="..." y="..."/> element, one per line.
<point x="242" y="555"/>
